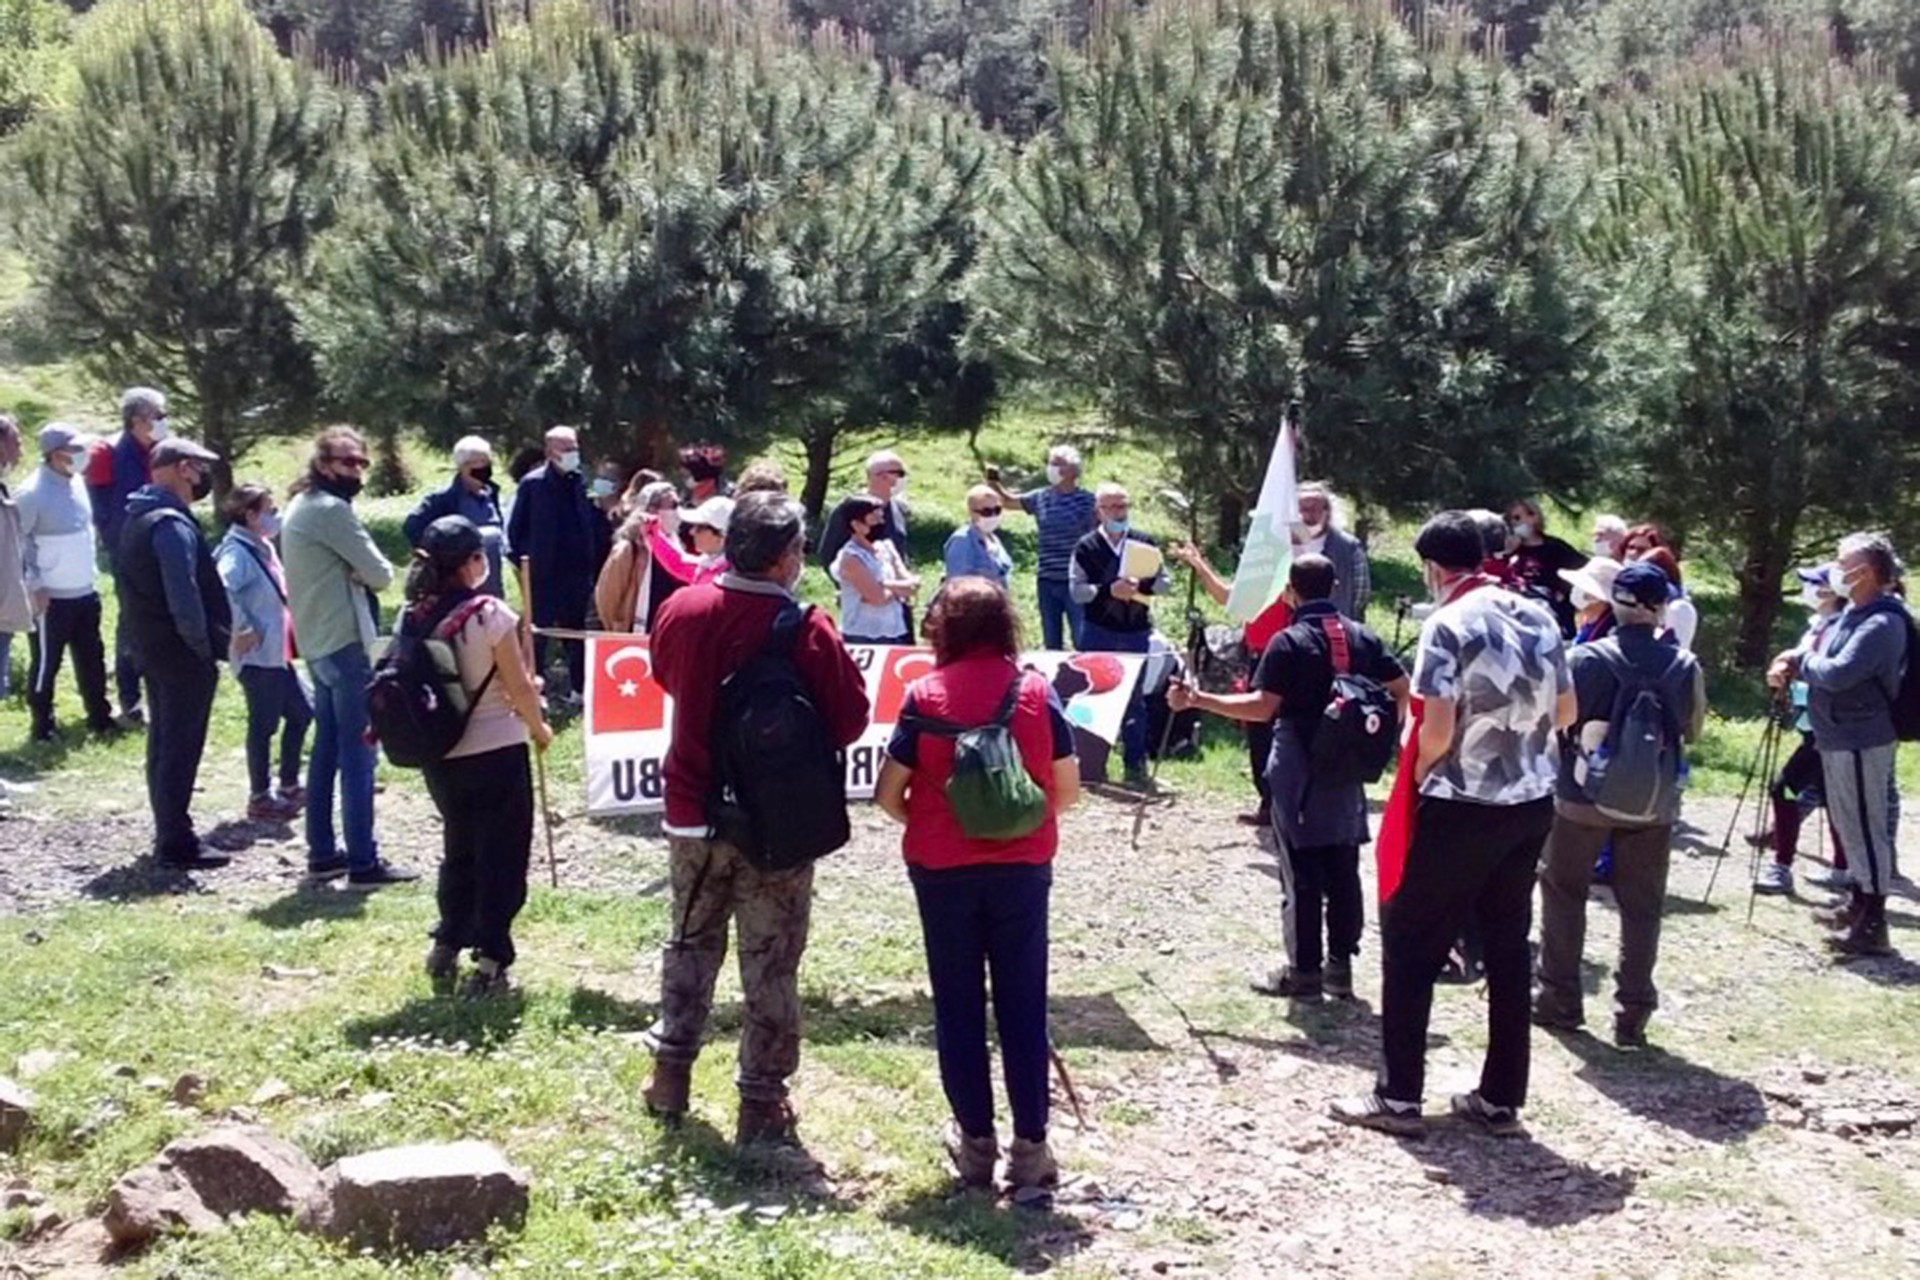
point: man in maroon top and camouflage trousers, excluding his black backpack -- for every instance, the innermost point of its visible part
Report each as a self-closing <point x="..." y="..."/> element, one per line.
<point x="700" y="638"/>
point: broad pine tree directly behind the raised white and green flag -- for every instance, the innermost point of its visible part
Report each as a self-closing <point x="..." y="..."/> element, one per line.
<point x="1251" y="202"/>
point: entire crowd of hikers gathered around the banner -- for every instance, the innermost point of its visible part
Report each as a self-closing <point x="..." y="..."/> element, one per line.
<point x="1547" y="713"/>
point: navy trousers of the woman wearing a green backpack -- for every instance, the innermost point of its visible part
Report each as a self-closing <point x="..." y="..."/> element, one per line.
<point x="984" y="922"/>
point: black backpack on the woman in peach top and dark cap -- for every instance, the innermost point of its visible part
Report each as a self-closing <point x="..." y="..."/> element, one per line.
<point x="416" y="703"/>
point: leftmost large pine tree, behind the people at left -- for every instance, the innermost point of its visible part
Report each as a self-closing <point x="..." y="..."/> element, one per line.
<point x="170" y="206"/>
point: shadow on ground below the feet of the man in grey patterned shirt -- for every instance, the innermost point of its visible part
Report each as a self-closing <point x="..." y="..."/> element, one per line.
<point x="1520" y="1177"/>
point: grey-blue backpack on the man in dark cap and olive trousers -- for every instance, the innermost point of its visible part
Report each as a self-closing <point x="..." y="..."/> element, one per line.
<point x="1635" y="774"/>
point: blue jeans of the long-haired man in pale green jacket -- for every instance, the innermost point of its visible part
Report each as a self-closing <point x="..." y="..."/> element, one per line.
<point x="341" y="747"/>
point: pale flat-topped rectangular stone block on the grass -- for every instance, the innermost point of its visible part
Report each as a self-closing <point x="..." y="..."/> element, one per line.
<point x="425" y="1197"/>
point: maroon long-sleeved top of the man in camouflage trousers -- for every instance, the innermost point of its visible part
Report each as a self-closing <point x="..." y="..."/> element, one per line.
<point x="706" y="634"/>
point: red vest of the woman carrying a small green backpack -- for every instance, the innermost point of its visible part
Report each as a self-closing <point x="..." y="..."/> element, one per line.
<point x="969" y="692"/>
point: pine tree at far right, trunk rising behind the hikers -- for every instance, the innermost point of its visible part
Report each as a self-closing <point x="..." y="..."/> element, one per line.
<point x="1762" y="220"/>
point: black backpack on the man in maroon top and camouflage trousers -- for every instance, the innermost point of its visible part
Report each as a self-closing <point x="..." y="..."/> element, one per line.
<point x="780" y="782"/>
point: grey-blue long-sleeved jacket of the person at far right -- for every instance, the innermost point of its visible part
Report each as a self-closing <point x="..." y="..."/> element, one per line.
<point x="1856" y="675"/>
